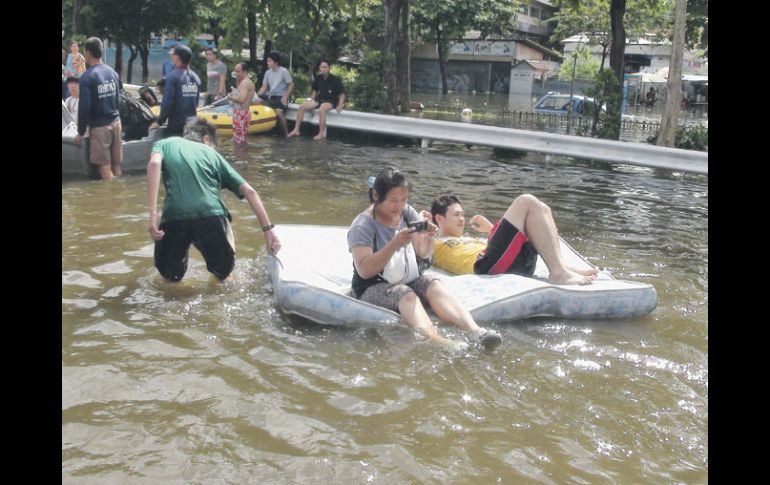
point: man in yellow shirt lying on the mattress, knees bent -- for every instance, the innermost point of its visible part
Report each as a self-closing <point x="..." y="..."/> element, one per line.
<point x="526" y="229"/>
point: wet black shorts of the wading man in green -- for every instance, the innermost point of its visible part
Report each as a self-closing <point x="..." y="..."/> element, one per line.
<point x="209" y="235"/>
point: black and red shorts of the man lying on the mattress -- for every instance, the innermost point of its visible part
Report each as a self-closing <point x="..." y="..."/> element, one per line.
<point x="507" y="251"/>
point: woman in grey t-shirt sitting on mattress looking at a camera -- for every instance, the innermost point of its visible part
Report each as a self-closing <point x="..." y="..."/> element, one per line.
<point x="375" y="236"/>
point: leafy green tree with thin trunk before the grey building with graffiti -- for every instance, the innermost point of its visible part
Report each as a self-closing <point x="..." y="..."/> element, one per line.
<point x="445" y="22"/>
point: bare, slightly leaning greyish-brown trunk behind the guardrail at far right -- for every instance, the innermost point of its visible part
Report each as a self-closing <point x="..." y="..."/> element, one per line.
<point x="669" y="122"/>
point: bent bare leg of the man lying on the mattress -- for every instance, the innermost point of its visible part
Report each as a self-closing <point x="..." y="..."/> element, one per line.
<point x="535" y="220"/>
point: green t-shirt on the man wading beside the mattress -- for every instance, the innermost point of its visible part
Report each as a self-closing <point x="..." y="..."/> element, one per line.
<point x="193" y="173"/>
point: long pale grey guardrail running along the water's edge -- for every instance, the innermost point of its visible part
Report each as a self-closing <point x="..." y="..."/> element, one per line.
<point x="530" y="141"/>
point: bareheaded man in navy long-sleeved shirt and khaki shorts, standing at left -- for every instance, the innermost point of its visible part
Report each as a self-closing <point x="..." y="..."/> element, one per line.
<point x="98" y="110"/>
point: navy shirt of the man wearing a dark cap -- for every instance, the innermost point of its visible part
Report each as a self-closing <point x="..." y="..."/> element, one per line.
<point x="180" y="97"/>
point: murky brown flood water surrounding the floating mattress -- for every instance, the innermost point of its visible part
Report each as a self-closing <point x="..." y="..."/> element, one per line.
<point x="202" y="383"/>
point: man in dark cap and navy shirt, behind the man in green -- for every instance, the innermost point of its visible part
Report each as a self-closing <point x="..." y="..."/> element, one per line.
<point x="181" y="93"/>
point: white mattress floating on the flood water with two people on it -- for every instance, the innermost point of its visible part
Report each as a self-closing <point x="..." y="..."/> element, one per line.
<point x="312" y="273"/>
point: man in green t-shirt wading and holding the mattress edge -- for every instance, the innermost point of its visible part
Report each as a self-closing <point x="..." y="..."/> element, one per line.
<point x="193" y="212"/>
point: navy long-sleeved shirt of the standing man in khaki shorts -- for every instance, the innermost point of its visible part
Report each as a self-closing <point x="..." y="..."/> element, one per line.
<point x="98" y="106"/>
